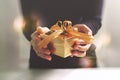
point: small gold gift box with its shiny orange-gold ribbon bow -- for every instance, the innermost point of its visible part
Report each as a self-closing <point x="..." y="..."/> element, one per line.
<point x="62" y="36"/>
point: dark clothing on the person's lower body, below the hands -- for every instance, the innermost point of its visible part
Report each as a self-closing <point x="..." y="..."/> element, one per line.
<point x="58" y="62"/>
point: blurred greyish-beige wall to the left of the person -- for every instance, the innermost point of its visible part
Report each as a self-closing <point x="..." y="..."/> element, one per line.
<point x="14" y="48"/>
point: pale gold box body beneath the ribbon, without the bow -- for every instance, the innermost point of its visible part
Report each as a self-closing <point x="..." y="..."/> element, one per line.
<point x="63" y="47"/>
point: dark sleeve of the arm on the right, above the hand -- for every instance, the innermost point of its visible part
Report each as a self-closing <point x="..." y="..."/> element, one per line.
<point x="93" y="15"/>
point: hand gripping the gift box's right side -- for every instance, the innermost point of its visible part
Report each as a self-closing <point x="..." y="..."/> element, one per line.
<point x="79" y="46"/>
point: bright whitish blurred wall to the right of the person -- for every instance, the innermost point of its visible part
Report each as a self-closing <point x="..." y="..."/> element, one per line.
<point x="109" y="55"/>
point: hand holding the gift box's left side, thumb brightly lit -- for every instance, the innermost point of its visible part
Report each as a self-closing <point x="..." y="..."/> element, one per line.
<point x="36" y="38"/>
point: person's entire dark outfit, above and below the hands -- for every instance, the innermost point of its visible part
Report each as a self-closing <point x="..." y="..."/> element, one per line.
<point x="49" y="12"/>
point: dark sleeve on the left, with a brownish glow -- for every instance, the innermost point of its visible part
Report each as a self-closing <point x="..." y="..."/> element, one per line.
<point x="30" y="26"/>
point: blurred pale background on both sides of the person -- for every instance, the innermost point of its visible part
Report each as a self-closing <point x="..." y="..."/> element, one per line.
<point x="14" y="48"/>
